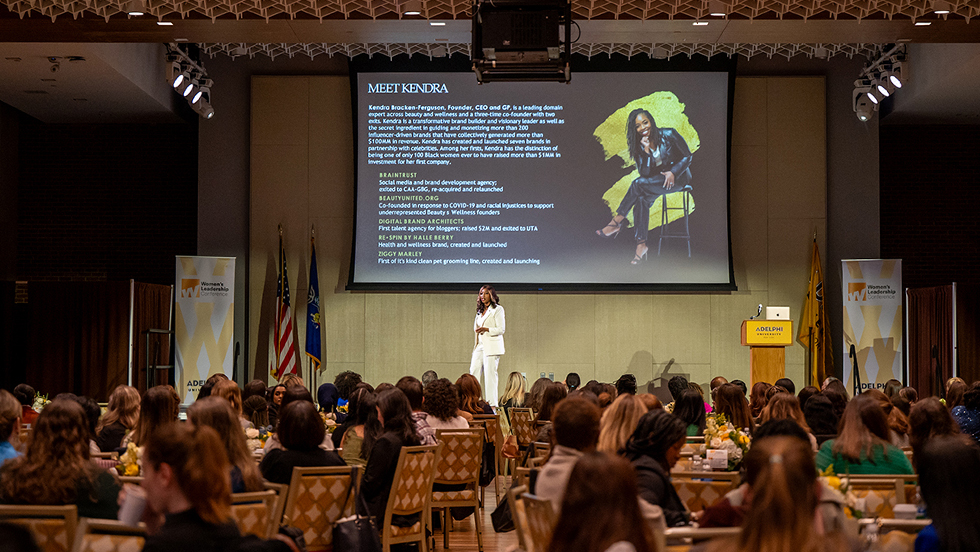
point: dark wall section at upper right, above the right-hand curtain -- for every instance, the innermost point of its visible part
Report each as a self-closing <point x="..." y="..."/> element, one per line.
<point x="930" y="194"/>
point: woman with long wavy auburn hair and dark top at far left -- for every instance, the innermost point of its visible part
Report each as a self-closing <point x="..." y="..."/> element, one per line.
<point x="56" y="468"/>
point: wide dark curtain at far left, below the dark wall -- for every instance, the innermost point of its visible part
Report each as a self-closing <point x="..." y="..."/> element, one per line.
<point x="79" y="335"/>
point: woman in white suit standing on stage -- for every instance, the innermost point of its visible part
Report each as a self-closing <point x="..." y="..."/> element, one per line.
<point x="489" y="327"/>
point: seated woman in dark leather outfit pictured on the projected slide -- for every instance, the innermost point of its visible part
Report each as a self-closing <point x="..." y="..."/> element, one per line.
<point x="663" y="161"/>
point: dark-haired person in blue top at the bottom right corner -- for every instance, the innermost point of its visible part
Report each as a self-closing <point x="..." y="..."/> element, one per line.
<point x="949" y="486"/>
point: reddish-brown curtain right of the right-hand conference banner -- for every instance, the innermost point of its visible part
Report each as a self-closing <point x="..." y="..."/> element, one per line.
<point x="930" y="326"/>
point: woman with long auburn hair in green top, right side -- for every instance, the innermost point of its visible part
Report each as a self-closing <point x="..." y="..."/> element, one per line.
<point x="862" y="445"/>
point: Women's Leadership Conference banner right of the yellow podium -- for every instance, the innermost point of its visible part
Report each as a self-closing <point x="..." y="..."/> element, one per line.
<point x="873" y="320"/>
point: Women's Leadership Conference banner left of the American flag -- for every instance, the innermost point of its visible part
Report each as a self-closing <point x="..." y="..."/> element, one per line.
<point x="205" y="322"/>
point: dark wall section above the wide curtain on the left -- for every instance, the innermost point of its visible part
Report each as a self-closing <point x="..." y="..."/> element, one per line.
<point x="106" y="202"/>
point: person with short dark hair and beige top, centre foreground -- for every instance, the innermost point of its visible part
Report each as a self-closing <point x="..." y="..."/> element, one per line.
<point x="576" y="431"/>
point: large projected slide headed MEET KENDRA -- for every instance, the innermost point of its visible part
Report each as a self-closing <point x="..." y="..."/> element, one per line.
<point x="542" y="185"/>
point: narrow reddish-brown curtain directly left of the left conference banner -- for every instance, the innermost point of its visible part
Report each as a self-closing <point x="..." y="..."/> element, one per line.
<point x="151" y="310"/>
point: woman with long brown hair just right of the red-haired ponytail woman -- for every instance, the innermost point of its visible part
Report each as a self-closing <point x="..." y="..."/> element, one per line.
<point x="215" y="413"/>
